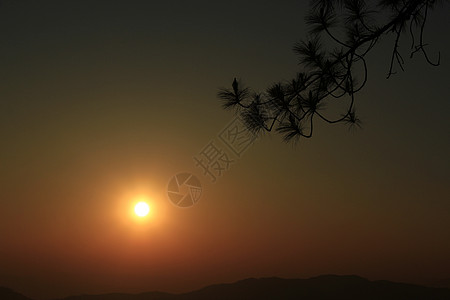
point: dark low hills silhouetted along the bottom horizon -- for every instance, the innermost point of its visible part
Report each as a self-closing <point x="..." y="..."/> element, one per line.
<point x="317" y="288"/>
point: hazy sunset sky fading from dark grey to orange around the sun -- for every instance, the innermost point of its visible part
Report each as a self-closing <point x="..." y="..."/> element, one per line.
<point x="102" y="102"/>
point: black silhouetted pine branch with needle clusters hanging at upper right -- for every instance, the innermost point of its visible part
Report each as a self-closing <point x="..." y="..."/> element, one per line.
<point x="330" y="72"/>
